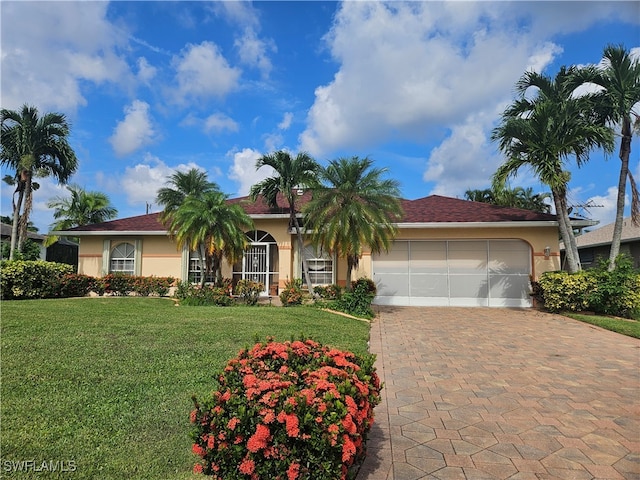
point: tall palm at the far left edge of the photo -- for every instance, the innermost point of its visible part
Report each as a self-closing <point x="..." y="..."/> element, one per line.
<point x="33" y="145"/>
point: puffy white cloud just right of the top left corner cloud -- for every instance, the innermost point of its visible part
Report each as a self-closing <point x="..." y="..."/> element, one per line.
<point x="203" y="72"/>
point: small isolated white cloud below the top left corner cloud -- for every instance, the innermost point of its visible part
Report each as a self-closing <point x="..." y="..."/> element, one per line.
<point x="135" y="131"/>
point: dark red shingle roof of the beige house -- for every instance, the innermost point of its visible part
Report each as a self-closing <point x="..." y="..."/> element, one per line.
<point x="434" y="210"/>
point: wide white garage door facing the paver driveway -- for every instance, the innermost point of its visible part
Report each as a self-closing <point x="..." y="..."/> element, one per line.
<point x="492" y="273"/>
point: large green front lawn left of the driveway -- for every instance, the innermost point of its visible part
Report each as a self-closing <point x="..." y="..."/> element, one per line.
<point x="107" y="382"/>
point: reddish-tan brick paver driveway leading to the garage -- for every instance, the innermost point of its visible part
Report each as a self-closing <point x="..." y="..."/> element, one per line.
<point x="502" y="393"/>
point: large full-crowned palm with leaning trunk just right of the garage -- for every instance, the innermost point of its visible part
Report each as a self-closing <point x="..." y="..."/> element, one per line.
<point x="542" y="133"/>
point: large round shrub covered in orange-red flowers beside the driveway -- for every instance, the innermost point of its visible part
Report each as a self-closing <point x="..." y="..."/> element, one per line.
<point x="293" y="410"/>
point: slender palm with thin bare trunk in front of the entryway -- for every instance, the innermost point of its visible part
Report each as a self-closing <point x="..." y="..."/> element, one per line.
<point x="290" y="173"/>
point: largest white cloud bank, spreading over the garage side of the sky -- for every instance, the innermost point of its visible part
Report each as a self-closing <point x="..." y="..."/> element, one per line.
<point x="411" y="71"/>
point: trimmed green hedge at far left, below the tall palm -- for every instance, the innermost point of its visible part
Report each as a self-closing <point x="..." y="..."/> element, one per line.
<point x="21" y="279"/>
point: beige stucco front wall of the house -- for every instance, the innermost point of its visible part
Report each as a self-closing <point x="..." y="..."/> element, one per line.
<point x="160" y="257"/>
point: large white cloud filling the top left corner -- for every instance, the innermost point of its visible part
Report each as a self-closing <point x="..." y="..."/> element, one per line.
<point x="50" y="48"/>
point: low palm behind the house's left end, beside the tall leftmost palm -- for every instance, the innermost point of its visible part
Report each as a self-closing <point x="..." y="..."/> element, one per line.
<point x="82" y="208"/>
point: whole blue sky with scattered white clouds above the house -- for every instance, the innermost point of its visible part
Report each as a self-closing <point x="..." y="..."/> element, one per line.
<point x="154" y="87"/>
